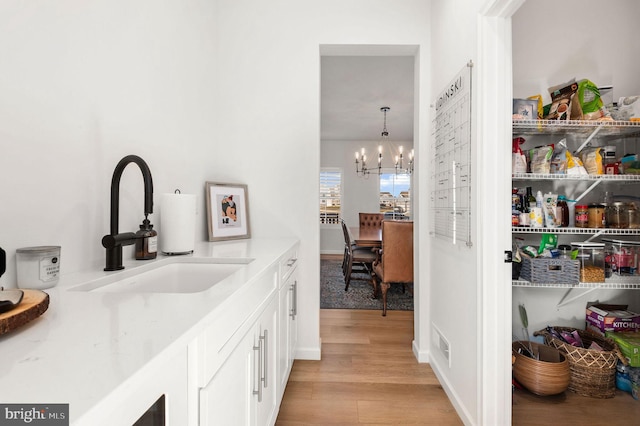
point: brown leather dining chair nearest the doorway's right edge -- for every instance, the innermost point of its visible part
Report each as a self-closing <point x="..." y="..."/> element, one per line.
<point x="394" y="264"/>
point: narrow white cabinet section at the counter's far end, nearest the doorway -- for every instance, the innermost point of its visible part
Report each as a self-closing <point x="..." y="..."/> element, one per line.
<point x="287" y="319"/>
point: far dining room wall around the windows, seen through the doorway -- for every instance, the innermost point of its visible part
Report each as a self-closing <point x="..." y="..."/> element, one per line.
<point x="360" y="194"/>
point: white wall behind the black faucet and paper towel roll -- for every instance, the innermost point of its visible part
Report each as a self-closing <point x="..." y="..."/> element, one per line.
<point x="82" y="84"/>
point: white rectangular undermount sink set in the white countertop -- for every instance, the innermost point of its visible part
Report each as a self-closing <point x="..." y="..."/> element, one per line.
<point x="184" y="275"/>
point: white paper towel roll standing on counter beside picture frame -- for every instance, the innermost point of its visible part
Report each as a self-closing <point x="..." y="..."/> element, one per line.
<point x="177" y="223"/>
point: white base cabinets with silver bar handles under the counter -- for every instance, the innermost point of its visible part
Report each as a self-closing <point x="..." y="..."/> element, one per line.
<point x="241" y="363"/>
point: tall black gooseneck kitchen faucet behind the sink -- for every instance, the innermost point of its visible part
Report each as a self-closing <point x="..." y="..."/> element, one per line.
<point x="114" y="241"/>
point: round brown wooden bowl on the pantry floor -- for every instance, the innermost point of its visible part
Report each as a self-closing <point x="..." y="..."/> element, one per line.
<point x="547" y="375"/>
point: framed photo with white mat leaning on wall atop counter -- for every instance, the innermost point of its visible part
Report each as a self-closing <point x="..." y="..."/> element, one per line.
<point x="227" y="211"/>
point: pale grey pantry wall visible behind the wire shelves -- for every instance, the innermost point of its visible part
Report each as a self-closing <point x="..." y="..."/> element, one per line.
<point x="604" y="51"/>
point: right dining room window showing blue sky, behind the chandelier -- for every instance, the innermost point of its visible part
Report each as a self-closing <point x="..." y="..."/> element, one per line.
<point x="395" y="195"/>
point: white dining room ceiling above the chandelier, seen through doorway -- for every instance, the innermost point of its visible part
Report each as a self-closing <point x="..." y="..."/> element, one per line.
<point x="354" y="88"/>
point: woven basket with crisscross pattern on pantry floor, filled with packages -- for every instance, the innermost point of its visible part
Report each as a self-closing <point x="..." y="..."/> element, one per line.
<point x="593" y="372"/>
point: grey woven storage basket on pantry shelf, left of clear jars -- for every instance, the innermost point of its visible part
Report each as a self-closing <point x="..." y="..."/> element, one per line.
<point x="551" y="271"/>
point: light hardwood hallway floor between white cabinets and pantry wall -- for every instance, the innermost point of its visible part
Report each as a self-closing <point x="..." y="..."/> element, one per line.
<point x="368" y="375"/>
